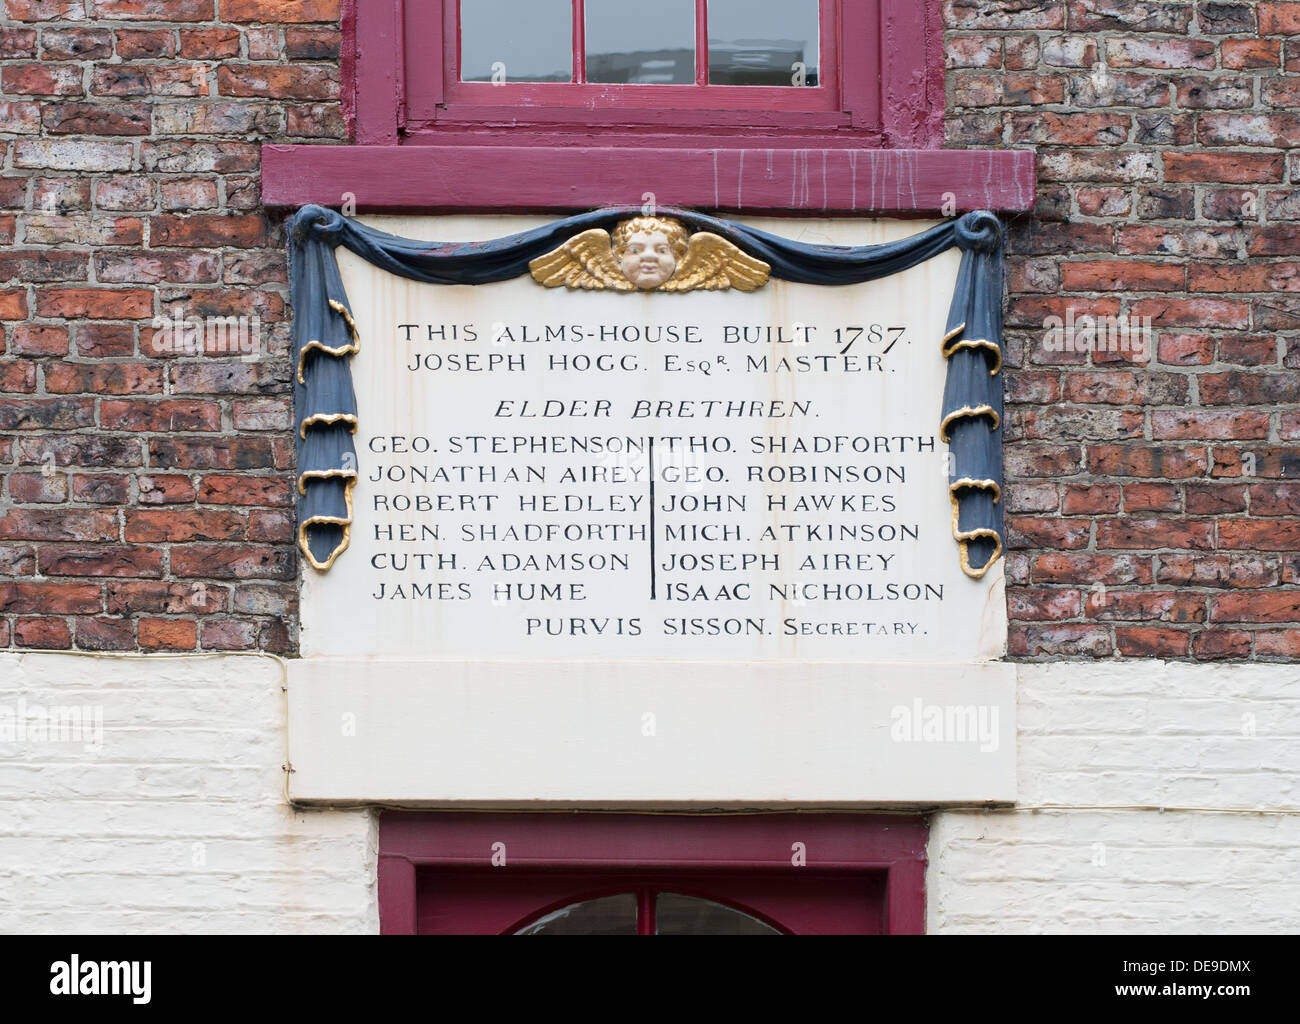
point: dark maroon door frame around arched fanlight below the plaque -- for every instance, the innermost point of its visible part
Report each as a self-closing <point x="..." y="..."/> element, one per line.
<point x="436" y="873"/>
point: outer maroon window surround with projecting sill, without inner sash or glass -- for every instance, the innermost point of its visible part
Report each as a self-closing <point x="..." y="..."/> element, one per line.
<point x="879" y="155"/>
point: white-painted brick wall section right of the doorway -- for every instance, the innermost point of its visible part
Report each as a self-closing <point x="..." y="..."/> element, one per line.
<point x="1136" y="734"/>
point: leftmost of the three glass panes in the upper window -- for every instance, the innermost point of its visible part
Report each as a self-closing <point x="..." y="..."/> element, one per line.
<point x="517" y="41"/>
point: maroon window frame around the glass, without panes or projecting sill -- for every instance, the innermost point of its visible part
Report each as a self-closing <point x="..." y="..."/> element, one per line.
<point x="877" y="47"/>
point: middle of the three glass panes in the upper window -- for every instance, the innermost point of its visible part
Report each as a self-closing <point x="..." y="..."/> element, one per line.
<point x="648" y="46"/>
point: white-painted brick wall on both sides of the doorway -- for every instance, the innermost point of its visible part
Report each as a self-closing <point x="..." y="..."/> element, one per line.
<point x="193" y="753"/>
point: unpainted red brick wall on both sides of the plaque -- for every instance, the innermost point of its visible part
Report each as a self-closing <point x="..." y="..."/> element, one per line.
<point x="1152" y="500"/>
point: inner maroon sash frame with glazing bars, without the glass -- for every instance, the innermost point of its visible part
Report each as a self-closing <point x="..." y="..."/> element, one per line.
<point x="586" y="105"/>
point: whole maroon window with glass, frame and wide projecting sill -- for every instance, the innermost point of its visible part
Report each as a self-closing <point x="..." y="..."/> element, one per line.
<point x="734" y="106"/>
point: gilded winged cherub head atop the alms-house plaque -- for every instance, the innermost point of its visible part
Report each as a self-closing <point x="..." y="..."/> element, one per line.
<point x="651" y="254"/>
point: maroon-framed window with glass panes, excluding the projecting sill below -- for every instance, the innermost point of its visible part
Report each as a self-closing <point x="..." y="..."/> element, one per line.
<point x="679" y="66"/>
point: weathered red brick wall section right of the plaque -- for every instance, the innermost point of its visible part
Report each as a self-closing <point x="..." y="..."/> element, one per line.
<point x="1152" y="496"/>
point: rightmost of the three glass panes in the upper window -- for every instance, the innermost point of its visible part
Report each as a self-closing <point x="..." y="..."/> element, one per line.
<point x="764" y="42"/>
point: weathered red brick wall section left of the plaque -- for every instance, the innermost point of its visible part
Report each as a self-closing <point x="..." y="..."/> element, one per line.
<point x="148" y="491"/>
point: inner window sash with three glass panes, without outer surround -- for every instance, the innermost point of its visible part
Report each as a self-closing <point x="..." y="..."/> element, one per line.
<point x="556" y="59"/>
